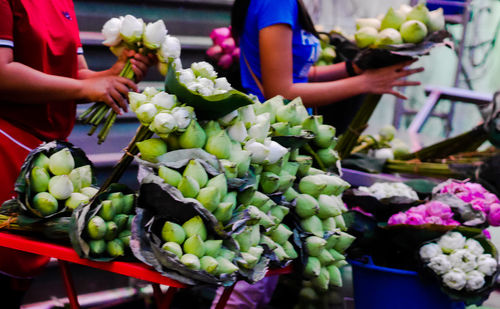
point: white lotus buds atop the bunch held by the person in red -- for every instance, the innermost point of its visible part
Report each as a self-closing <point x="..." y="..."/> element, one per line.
<point x="133" y="33"/>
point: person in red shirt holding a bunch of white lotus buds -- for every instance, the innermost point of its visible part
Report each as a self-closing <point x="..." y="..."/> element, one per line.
<point x="43" y="75"/>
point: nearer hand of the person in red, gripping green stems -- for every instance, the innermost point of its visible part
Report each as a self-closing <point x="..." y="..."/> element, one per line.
<point x="112" y="90"/>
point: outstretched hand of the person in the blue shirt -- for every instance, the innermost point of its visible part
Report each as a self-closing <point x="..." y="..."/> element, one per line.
<point x="383" y="80"/>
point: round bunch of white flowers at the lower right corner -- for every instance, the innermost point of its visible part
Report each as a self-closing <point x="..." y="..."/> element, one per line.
<point x="460" y="262"/>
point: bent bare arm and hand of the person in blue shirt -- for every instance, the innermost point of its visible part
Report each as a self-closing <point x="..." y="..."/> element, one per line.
<point x="277" y="74"/>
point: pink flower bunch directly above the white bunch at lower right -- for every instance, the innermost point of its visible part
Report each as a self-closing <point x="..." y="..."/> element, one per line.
<point x="432" y="212"/>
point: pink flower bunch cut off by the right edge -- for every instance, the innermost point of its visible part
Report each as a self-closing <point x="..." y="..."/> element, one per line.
<point x="475" y="194"/>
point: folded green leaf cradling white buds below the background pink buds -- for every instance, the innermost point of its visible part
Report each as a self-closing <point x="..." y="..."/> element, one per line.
<point x="206" y="107"/>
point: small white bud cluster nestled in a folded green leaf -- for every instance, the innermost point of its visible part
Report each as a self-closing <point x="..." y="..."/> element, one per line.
<point x="202" y="78"/>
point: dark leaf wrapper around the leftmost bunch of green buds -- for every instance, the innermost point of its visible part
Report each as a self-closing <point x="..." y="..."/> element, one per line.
<point x="23" y="183"/>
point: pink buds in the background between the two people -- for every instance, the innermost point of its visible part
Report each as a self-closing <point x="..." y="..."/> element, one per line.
<point x="224" y="50"/>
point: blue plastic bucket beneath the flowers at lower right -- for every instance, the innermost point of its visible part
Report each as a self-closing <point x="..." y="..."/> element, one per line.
<point x="378" y="287"/>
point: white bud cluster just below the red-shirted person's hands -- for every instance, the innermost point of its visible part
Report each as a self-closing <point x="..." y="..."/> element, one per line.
<point x="160" y="111"/>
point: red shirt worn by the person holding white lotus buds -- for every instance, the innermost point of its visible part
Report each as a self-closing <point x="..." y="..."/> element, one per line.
<point x="44" y="36"/>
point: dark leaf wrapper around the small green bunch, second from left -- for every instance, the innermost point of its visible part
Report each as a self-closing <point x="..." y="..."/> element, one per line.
<point x="82" y="215"/>
